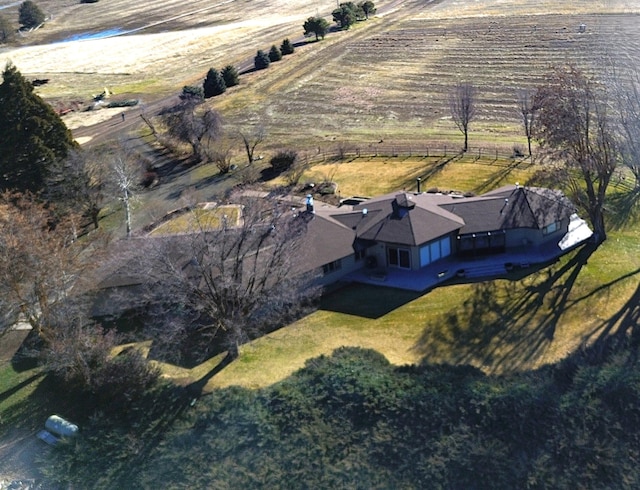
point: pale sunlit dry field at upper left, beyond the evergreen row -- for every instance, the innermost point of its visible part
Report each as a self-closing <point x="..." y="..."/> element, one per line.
<point x="168" y="48"/>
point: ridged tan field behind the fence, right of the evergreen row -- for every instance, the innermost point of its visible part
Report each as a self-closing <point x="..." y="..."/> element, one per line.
<point x="390" y="81"/>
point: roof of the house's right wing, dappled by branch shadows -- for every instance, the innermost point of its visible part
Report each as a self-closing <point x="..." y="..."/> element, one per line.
<point x="511" y="207"/>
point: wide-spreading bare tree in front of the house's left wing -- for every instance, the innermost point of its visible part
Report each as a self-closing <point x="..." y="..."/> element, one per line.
<point x="238" y="280"/>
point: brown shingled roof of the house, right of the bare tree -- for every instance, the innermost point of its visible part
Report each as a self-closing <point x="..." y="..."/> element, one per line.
<point x="416" y="219"/>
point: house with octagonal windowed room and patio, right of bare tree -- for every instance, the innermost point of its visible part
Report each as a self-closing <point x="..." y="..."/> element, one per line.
<point x="416" y="240"/>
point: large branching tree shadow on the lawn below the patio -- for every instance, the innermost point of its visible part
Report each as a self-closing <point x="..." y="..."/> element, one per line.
<point x="505" y="325"/>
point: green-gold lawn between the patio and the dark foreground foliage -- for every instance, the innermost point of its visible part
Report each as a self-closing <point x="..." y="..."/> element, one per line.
<point x="497" y="326"/>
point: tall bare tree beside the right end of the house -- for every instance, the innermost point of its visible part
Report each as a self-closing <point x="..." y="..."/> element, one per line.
<point x="575" y="128"/>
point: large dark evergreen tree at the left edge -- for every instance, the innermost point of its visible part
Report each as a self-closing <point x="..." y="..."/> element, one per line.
<point x="32" y="135"/>
